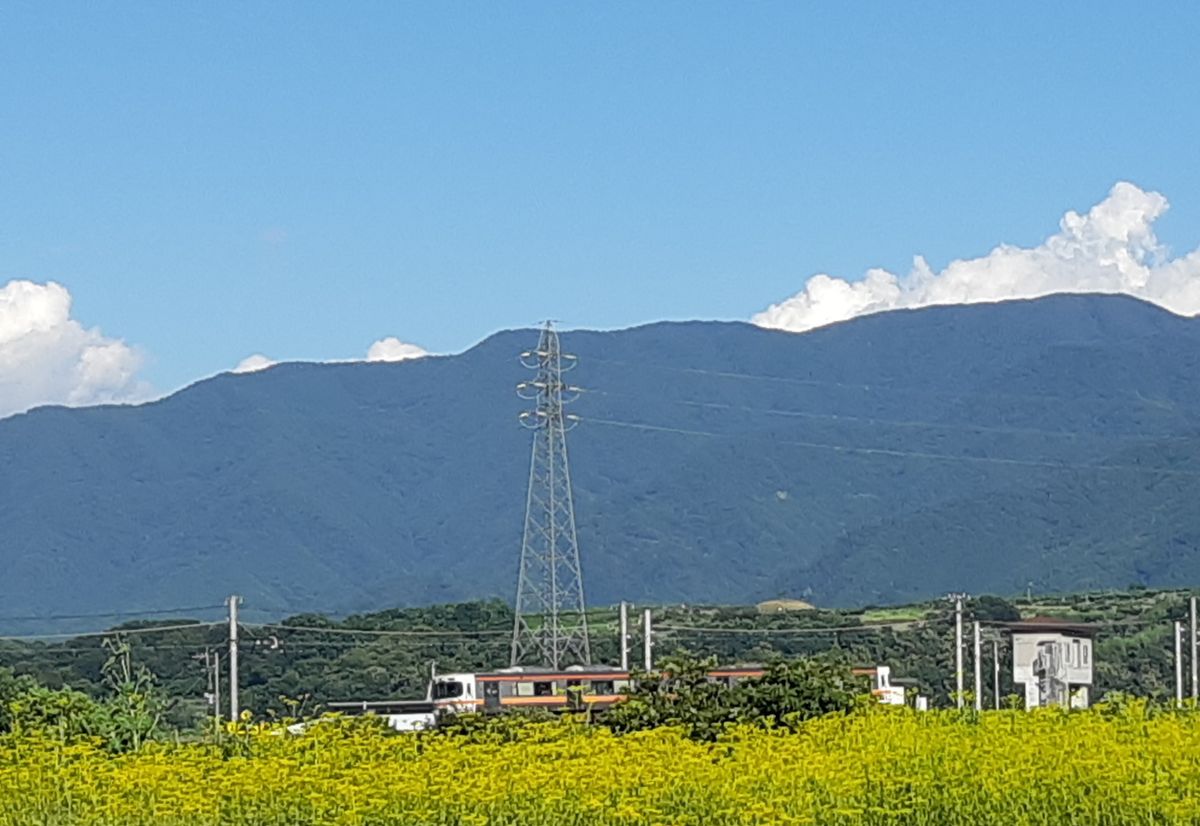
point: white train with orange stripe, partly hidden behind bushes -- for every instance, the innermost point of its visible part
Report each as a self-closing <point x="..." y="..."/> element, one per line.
<point x="575" y="689"/>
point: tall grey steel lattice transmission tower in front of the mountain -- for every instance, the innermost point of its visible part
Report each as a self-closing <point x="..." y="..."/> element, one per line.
<point x="551" y="625"/>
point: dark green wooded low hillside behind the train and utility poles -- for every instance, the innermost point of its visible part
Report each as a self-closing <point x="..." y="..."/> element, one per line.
<point x="309" y="668"/>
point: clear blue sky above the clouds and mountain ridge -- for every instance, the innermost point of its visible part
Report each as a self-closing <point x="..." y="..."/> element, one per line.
<point x="212" y="181"/>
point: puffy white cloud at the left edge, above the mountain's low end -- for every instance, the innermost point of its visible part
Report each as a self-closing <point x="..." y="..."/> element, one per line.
<point x="47" y="357"/>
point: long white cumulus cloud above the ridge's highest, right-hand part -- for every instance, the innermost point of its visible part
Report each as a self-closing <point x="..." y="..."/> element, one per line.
<point x="1112" y="249"/>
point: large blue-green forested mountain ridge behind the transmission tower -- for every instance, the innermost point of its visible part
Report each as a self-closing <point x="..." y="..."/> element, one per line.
<point x="891" y="458"/>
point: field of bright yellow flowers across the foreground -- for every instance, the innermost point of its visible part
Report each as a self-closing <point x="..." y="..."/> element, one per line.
<point x="886" y="767"/>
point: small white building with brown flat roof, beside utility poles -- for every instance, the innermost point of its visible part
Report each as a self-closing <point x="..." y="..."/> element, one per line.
<point x="1053" y="660"/>
